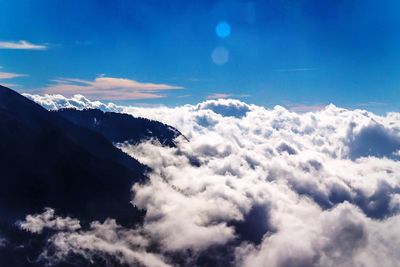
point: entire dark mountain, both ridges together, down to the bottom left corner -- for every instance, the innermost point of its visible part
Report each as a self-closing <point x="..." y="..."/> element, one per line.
<point x="66" y="160"/>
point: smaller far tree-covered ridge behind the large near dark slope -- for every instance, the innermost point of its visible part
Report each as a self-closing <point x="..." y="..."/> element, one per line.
<point x="117" y="127"/>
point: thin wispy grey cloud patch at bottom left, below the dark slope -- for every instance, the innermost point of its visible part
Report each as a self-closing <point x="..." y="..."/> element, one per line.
<point x="103" y="240"/>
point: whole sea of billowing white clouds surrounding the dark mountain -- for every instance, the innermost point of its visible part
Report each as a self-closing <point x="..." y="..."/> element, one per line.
<point x="251" y="187"/>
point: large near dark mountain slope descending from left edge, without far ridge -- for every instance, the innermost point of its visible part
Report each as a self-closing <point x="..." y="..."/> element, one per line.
<point x="46" y="160"/>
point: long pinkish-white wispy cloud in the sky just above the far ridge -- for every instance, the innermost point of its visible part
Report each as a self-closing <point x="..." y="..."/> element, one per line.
<point x="108" y="88"/>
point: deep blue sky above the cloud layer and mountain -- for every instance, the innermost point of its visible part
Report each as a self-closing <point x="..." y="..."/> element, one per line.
<point x="300" y="54"/>
